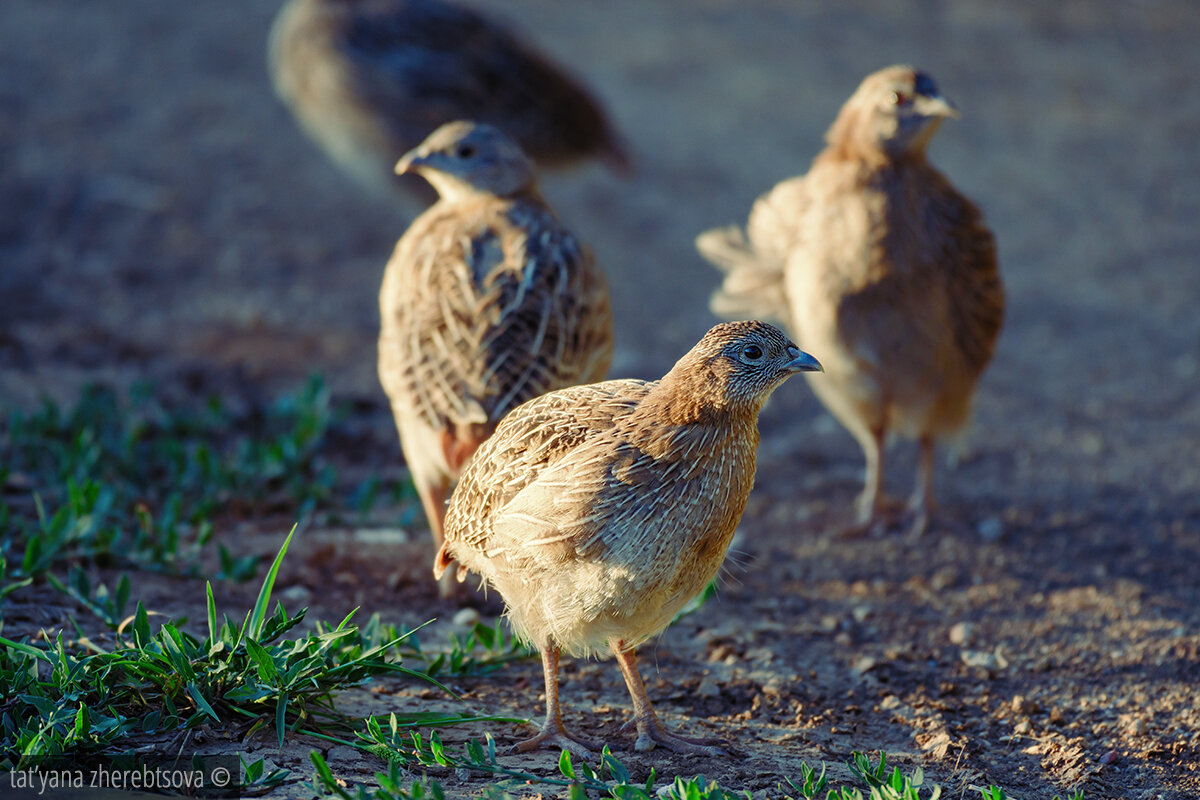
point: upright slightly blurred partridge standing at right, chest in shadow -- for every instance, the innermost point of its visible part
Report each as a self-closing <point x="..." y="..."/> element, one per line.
<point x="878" y="263"/>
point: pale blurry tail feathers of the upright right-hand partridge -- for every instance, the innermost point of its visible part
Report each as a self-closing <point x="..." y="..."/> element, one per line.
<point x="754" y="285"/>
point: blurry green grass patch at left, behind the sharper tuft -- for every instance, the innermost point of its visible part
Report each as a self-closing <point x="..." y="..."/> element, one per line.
<point x="129" y="483"/>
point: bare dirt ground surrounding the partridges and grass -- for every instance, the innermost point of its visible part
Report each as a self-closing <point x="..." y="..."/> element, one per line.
<point x="163" y="218"/>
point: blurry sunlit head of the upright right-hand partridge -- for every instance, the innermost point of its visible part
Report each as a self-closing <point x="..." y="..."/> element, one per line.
<point x="895" y="111"/>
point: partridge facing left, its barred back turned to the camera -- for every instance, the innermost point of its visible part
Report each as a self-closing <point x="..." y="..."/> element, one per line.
<point x="488" y="302"/>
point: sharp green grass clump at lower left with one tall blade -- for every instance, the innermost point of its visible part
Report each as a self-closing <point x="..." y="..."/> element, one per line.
<point x="65" y="701"/>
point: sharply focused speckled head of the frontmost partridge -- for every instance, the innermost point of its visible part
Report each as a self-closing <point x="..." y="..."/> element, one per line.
<point x="736" y="368"/>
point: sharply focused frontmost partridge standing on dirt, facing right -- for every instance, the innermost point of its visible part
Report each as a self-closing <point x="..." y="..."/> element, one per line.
<point x="599" y="512"/>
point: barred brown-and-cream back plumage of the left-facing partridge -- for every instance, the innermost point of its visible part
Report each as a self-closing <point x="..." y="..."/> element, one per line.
<point x="485" y="304"/>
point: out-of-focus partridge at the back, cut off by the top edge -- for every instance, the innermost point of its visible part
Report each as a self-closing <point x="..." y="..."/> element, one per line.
<point x="369" y="80"/>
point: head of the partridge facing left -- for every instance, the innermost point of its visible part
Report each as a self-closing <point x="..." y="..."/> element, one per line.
<point x="463" y="159"/>
